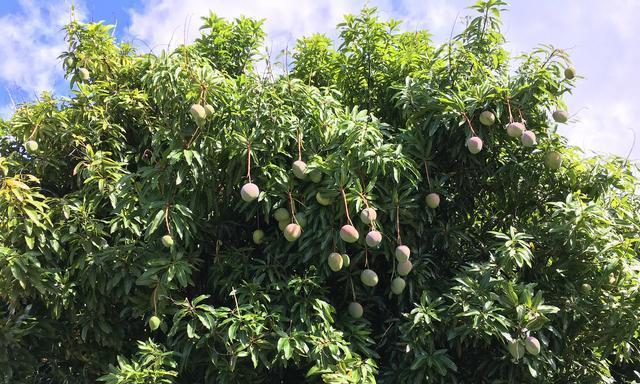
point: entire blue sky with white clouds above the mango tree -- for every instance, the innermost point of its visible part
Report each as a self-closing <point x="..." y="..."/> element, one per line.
<point x="602" y="37"/>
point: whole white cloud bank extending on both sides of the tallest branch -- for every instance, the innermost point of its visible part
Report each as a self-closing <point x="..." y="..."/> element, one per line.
<point x="598" y="34"/>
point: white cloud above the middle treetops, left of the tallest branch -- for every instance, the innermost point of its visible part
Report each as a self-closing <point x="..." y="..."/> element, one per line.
<point x="159" y="22"/>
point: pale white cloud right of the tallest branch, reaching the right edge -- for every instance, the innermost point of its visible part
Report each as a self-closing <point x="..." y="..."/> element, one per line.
<point x="602" y="39"/>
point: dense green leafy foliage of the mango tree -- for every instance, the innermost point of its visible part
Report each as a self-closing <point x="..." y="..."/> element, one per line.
<point x="128" y="255"/>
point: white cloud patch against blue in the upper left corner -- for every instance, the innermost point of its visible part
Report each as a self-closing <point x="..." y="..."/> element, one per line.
<point x="31" y="42"/>
